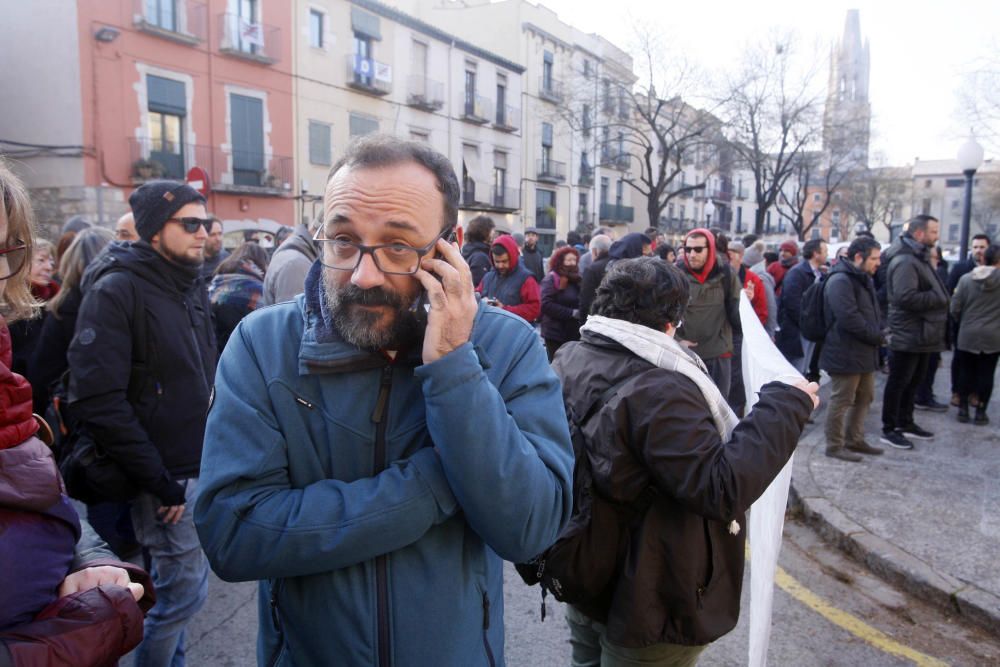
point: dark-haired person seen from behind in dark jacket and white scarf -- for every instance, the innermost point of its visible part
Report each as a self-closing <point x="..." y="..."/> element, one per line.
<point x="666" y="439"/>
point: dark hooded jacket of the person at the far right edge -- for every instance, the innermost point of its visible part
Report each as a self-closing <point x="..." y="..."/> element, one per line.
<point x="976" y="306"/>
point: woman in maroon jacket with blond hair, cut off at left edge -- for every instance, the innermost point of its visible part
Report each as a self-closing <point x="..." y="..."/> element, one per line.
<point x="41" y="531"/>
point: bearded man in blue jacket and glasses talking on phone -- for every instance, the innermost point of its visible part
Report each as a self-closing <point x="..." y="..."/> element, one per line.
<point x="343" y="466"/>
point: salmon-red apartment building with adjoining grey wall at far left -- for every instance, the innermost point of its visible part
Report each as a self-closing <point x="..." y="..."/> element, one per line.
<point x="130" y="90"/>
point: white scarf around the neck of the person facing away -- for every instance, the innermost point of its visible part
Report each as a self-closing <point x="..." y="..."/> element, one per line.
<point x="663" y="351"/>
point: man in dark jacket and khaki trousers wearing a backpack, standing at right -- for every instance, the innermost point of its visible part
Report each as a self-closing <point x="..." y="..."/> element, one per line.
<point x="850" y="349"/>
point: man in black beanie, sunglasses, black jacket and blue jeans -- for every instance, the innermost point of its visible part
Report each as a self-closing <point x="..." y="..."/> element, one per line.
<point x="142" y="365"/>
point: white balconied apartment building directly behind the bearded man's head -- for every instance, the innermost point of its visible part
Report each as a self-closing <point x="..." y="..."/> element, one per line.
<point x="364" y="67"/>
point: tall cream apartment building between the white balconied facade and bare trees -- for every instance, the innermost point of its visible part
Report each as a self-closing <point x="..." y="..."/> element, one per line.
<point x="571" y="168"/>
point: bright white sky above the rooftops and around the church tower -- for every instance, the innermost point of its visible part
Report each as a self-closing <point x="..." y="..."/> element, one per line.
<point x="919" y="51"/>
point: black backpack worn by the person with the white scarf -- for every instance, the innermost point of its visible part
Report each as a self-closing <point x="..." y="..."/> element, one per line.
<point x="580" y="567"/>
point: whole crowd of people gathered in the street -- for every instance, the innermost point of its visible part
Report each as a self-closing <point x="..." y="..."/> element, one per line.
<point x="323" y="446"/>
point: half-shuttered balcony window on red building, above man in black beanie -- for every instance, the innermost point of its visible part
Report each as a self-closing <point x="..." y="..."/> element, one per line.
<point x="167" y="107"/>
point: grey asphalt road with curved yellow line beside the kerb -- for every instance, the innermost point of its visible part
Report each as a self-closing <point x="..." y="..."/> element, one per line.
<point x="863" y="621"/>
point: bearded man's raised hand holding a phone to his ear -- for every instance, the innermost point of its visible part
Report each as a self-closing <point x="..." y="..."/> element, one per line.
<point x="447" y="281"/>
